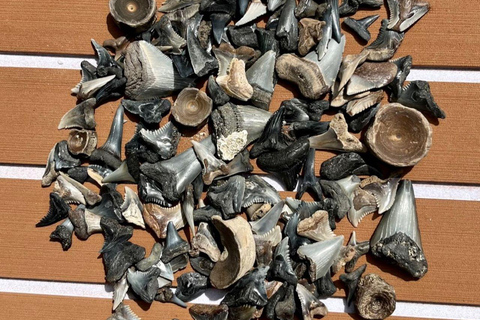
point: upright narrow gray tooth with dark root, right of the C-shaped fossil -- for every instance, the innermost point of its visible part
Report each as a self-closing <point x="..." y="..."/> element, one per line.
<point x="281" y="267"/>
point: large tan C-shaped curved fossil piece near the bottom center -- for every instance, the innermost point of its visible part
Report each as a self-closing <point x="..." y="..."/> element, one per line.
<point x="237" y="238"/>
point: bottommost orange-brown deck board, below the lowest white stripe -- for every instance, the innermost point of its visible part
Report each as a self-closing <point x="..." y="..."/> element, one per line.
<point x="60" y="308"/>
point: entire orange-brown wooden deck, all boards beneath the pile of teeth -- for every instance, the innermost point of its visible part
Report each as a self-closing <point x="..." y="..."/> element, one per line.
<point x="34" y="100"/>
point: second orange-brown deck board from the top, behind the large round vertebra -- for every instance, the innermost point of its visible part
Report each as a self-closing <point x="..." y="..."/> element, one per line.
<point x="34" y="101"/>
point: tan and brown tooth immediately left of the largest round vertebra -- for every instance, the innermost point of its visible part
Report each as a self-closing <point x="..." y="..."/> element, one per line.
<point x="337" y="137"/>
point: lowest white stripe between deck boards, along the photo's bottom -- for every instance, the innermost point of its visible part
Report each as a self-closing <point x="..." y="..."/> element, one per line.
<point x="212" y="296"/>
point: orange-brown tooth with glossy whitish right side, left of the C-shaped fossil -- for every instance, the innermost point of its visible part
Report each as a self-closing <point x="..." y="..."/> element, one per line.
<point x="158" y="217"/>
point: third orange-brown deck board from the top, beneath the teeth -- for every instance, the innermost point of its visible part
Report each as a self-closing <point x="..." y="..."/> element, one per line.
<point x="26" y="253"/>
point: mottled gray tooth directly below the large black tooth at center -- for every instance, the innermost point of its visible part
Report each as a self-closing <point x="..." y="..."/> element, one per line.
<point x="257" y="190"/>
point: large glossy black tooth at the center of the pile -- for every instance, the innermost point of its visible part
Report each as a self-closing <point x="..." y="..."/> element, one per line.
<point x="286" y="163"/>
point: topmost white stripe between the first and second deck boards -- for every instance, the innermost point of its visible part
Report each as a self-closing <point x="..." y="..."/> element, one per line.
<point x="73" y="63"/>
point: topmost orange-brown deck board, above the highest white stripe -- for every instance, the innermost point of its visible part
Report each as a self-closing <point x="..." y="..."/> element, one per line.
<point x="446" y="37"/>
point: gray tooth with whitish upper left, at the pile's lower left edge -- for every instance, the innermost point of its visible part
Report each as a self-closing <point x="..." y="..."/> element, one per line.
<point x="144" y="284"/>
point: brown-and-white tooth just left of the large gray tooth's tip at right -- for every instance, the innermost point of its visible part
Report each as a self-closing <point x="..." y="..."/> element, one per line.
<point x="384" y="191"/>
